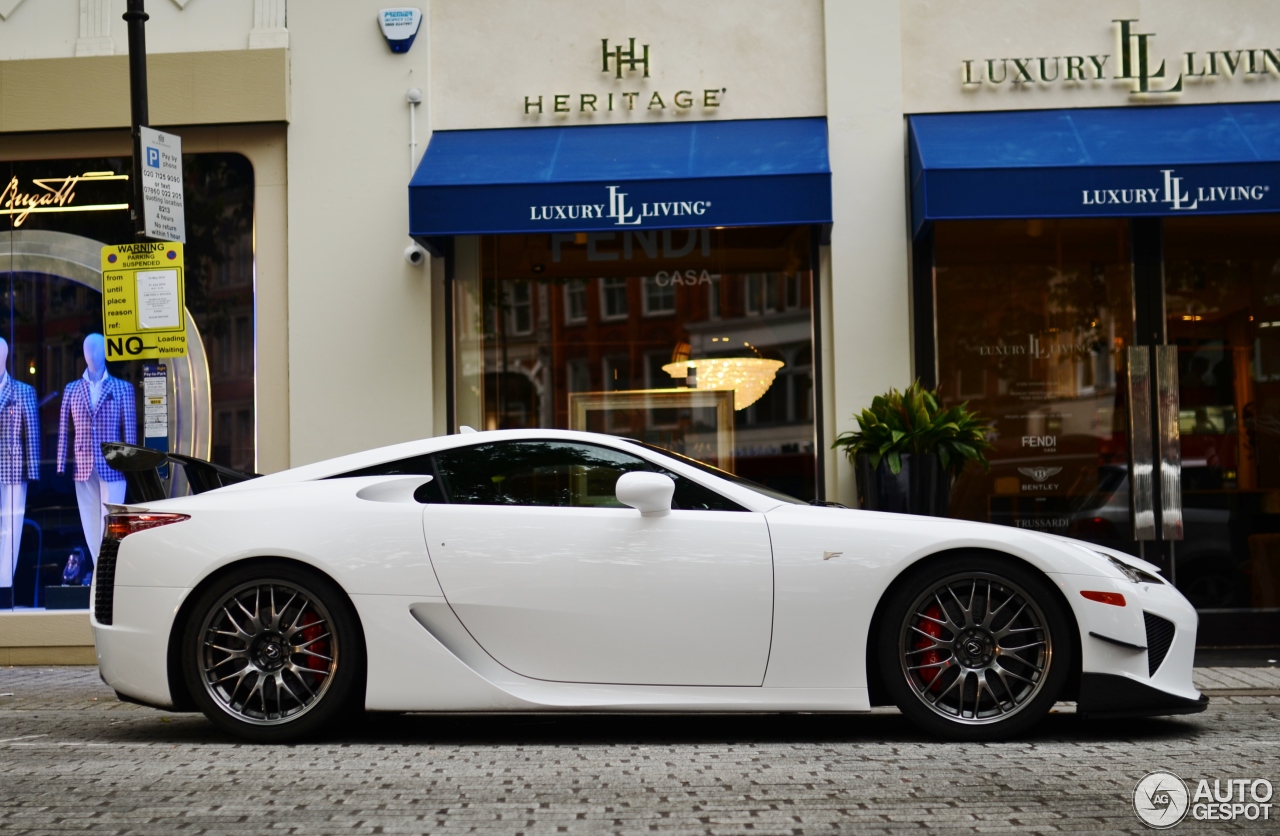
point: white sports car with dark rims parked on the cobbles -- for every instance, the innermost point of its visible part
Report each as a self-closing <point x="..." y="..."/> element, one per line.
<point x="542" y="570"/>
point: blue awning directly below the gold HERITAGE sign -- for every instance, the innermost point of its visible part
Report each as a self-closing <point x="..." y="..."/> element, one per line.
<point x="669" y="176"/>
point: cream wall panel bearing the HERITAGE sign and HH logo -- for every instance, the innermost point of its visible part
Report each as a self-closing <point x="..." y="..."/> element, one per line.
<point x="488" y="56"/>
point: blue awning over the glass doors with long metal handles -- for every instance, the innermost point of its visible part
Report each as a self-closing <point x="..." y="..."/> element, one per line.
<point x="1112" y="162"/>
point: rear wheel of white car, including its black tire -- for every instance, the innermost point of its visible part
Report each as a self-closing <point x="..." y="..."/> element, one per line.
<point x="291" y="661"/>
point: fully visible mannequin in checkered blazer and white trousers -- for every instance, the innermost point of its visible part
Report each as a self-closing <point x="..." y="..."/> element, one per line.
<point x="97" y="408"/>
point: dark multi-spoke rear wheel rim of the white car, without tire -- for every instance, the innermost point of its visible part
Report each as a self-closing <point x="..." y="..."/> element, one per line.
<point x="268" y="652"/>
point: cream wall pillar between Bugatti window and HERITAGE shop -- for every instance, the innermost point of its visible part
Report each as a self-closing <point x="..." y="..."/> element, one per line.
<point x="360" y="318"/>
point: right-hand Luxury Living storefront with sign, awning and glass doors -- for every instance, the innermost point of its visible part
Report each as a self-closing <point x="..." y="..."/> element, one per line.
<point x="1095" y="234"/>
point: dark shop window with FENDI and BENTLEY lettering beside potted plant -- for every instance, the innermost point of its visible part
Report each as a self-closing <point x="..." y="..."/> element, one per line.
<point x="1034" y="319"/>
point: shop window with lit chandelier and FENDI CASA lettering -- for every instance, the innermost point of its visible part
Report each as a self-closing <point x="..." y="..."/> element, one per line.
<point x="698" y="341"/>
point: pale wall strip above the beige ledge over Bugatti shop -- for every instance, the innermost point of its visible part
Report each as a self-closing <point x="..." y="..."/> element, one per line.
<point x="51" y="29"/>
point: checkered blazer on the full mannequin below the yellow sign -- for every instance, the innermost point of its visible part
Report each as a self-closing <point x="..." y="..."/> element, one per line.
<point x="115" y="421"/>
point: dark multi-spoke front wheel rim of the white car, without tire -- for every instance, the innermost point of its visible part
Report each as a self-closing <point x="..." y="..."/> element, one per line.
<point x="976" y="648"/>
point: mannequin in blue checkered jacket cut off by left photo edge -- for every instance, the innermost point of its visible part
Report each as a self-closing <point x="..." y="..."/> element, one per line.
<point x="20" y="464"/>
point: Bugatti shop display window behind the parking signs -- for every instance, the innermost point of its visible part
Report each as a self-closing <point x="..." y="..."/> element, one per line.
<point x="56" y="217"/>
